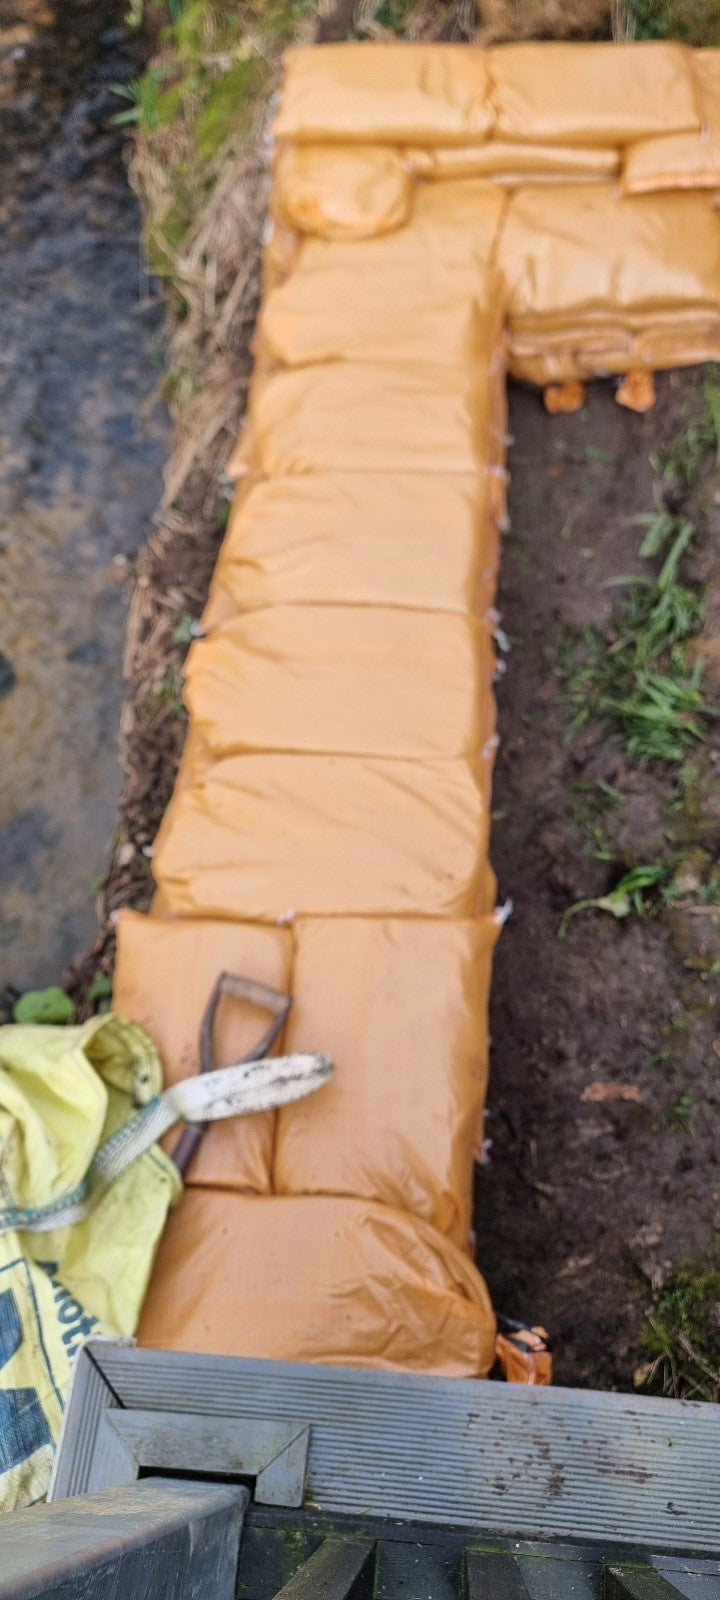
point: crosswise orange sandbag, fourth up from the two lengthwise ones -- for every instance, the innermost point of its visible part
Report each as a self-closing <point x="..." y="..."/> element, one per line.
<point x="367" y="418"/>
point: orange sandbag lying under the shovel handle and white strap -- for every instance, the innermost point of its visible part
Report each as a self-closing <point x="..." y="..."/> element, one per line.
<point x="164" y="978"/>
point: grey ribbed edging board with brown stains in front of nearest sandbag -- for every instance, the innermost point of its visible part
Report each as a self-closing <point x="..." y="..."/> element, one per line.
<point x="543" y="1463"/>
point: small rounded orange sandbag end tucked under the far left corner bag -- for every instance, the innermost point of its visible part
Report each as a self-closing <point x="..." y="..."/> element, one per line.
<point x="342" y="191"/>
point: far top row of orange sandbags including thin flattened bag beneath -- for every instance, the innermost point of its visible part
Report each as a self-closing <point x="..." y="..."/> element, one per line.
<point x="647" y="113"/>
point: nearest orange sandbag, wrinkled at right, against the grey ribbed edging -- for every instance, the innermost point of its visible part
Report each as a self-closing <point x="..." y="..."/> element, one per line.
<point x="330" y="1281"/>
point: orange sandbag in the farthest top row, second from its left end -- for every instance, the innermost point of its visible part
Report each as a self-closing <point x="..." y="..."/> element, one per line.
<point x="570" y="94"/>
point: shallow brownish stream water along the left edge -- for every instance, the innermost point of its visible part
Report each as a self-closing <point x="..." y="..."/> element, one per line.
<point x="81" y="466"/>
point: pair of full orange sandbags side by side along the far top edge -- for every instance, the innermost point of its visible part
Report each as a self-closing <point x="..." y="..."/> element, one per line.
<point x="452" y="95"/>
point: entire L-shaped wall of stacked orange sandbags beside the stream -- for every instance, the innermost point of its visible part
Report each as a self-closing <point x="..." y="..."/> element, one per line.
<point x="439" y="215"/>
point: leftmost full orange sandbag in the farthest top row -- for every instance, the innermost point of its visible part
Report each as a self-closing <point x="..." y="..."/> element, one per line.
<point x="385" y="94"/>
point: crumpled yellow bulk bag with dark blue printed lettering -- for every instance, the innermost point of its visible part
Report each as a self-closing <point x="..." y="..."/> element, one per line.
<point x="63" y="1094"/>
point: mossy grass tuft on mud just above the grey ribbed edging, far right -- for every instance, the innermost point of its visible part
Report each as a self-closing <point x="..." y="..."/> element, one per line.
<point x="682" y="1335"/>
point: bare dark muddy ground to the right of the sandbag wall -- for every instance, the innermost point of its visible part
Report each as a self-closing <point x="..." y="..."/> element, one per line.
<point x="585" y="1206"/>
